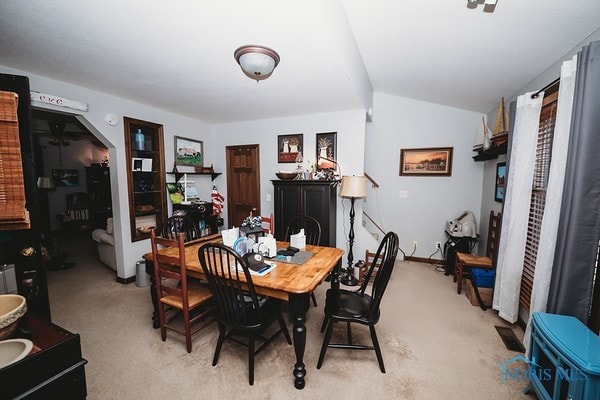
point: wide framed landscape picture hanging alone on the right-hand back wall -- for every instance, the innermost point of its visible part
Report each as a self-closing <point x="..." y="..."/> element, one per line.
<point x="434" y="161"/>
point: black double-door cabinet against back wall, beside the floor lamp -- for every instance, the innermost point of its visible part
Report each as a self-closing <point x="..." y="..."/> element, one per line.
<point x="317" y="199"/>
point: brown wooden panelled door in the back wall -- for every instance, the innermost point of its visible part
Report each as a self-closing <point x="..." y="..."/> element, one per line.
<point x="243" y="182"/>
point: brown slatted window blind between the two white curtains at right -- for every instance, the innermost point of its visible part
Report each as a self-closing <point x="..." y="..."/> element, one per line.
<point x="538" y="195"/>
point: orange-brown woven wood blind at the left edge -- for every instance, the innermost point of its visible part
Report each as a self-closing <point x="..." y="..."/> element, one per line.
<point x="13" y="214"/>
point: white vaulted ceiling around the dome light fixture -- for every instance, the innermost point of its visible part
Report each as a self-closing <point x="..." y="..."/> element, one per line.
<point x="178" y="55"/>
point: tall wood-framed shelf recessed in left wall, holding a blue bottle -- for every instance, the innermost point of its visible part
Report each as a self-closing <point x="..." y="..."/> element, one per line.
<point x="144" y="150"/>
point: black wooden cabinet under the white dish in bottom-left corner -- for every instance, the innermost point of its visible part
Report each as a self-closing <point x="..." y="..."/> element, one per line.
<point x="53" y="370"/>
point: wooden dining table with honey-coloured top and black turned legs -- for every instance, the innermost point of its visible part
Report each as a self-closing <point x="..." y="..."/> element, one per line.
<point x="290" y="282"/>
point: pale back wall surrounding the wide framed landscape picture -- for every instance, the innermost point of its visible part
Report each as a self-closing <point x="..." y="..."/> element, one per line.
<point x="401" y="123"/>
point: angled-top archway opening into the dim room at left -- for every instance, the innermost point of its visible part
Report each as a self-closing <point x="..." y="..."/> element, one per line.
<point x="70" y="158"/>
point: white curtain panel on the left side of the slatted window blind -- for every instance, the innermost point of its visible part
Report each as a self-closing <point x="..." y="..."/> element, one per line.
<point x="516" y="206"/>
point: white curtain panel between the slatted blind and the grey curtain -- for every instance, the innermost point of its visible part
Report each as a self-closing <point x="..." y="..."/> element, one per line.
<point x="549" y="229"/>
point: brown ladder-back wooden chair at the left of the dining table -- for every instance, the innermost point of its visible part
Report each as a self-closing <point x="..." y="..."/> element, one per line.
<point x="182" y="296"/>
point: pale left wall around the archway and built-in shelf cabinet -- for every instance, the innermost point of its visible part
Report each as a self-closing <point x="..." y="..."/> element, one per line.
<point x="100" y="104"/>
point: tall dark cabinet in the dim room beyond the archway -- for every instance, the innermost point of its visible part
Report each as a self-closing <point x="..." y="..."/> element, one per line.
<point x="99" y="195"/>
